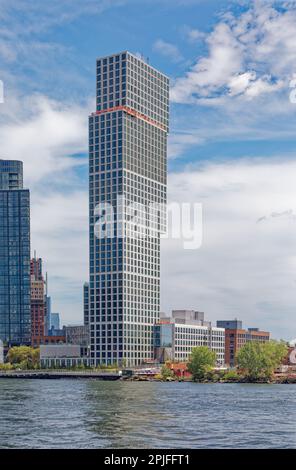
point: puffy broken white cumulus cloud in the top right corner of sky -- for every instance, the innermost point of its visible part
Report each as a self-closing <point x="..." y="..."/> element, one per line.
<point x="249" y="54"/>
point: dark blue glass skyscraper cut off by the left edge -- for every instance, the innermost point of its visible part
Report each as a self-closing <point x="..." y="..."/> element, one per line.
<point x="15" y="313"/>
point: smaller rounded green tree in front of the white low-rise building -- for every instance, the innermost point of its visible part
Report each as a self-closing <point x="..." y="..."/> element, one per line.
<point x="202" y="360"/>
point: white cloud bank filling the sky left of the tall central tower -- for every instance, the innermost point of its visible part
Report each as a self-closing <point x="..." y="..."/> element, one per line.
<point x="51" y="139"/>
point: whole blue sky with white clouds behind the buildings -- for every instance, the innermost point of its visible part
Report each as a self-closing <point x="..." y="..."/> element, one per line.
<point x="231" y="146"/>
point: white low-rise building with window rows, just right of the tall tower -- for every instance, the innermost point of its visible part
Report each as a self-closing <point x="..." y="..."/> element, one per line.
<point x="176" y="336"/>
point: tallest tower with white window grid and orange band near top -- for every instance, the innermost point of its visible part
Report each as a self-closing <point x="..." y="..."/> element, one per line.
<point x="127" y="158"/>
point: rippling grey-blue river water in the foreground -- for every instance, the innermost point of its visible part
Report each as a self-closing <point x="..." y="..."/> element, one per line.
<point x="95" y="414"/>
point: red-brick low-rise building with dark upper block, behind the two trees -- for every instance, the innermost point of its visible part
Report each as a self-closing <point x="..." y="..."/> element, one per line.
<point x="236" y="337"/>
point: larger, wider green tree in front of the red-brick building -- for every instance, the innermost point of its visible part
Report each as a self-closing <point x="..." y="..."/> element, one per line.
<point x="258" y="361"/>
